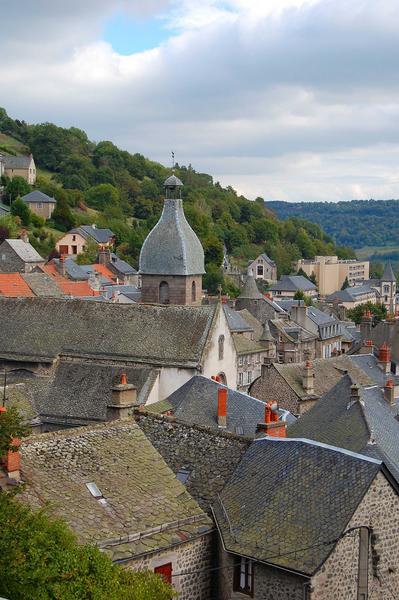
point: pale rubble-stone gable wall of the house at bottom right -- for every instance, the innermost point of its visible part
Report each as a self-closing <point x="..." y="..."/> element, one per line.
<point x="338" y="577"/>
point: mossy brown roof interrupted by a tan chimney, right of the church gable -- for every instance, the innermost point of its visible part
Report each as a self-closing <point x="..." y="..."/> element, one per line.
<point x="327" y="373"/>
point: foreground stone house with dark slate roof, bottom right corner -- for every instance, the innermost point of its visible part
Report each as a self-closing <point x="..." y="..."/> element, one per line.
<point x="289" y="528"/>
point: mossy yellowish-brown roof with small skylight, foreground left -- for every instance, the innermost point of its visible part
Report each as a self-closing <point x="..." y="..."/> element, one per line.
<point x="137" y="495"/>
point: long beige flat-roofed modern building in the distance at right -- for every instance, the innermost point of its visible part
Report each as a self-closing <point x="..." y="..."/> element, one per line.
<point x="331" y="273"/>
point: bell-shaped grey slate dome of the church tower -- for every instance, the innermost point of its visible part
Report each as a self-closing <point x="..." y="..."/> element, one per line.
<point x="172" y="247"/>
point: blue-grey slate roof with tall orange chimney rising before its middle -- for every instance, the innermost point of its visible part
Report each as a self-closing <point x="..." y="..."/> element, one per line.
<point x="196" y="402"/>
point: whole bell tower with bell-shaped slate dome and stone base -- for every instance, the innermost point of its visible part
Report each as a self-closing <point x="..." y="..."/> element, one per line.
<point x="172" y="258"/>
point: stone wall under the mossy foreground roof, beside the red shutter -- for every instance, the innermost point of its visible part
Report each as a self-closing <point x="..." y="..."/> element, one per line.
<point x="193" y="558"/>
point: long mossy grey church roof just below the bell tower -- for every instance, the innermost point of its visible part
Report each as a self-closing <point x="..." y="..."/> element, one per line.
<point x="173" y="335"/>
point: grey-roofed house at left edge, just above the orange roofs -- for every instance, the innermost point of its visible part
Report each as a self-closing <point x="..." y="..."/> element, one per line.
<point x="19" y="256"/>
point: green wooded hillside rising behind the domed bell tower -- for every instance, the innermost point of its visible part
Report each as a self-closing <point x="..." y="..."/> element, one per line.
<point x="98" y="182"/>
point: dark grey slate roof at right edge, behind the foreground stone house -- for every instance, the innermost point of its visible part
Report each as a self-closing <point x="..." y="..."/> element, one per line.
<point x="368" y="426"/>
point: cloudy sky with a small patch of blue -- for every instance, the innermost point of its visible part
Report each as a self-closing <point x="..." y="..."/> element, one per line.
<point x="291" y="100"/>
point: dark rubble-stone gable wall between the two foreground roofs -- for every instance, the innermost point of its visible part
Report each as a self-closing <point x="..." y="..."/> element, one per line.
<point x="210" y="457"/>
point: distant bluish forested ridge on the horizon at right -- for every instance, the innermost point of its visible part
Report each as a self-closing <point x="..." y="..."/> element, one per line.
<point x="355" y="223"/>
